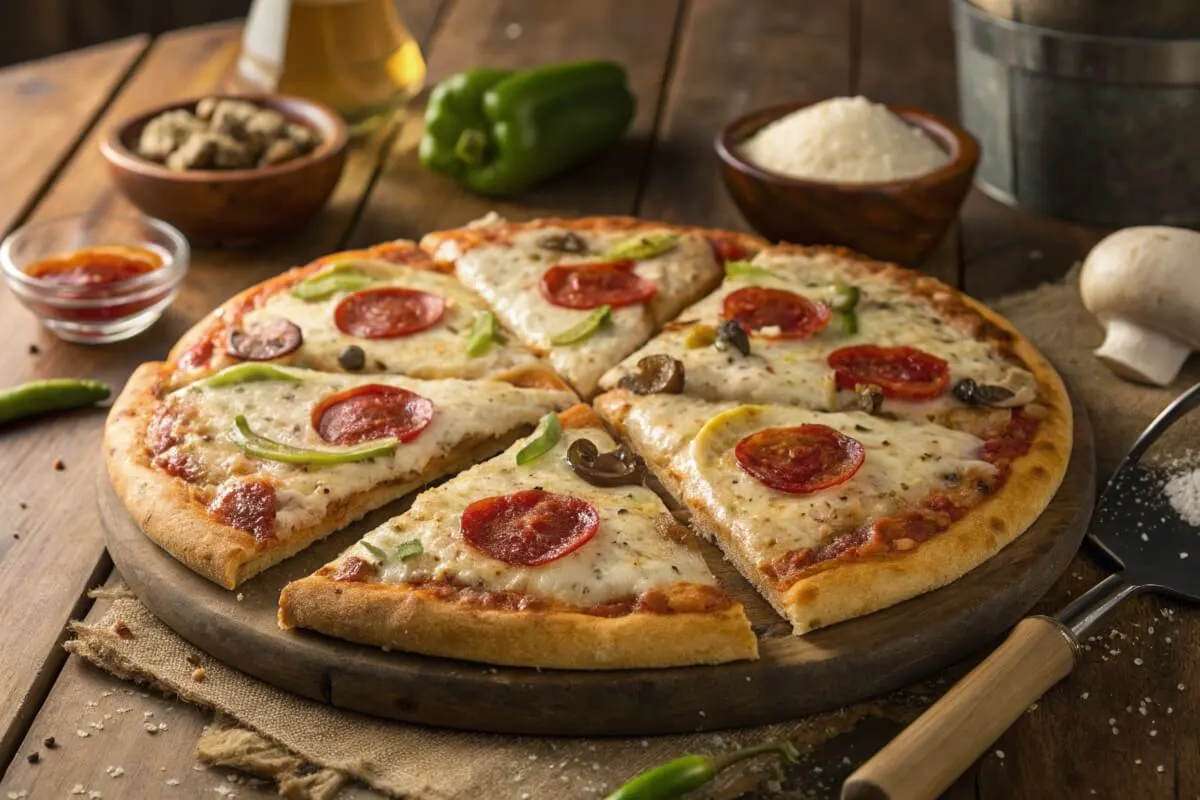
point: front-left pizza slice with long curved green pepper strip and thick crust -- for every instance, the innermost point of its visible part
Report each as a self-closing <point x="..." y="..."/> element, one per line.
<point x="237" y="472"/>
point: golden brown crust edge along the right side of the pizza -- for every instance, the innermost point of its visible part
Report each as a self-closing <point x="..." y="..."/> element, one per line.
<point x="857" y="588"/>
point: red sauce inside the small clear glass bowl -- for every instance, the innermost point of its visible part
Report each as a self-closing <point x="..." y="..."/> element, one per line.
<point x="95" y="274"/>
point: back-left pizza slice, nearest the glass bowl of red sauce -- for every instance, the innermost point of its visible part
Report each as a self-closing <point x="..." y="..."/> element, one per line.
<point x="385" y="310"/>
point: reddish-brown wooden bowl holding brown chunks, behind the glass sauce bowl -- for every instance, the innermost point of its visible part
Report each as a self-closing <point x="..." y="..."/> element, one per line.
<point x="232" y="207"/>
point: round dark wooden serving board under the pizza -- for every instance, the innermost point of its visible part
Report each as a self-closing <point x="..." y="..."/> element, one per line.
<point x="795" y="677"/>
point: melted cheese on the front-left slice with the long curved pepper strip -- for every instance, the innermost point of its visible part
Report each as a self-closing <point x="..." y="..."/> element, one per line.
<point x="281" y="411"/>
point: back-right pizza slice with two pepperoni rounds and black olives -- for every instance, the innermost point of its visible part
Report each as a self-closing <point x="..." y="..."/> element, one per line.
<point x="829" y="330"/>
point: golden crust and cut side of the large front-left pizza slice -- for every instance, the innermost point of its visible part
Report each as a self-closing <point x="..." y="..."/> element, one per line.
<point x="164" y="507"/>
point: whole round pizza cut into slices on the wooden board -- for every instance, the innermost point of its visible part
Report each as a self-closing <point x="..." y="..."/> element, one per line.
<point x="849" y="434"/>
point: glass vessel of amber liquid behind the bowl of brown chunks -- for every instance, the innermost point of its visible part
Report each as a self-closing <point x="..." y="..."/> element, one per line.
<point x="355" y="56"/>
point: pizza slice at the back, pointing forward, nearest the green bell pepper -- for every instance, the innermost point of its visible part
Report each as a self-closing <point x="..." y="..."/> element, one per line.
<point x="586" y="293"/>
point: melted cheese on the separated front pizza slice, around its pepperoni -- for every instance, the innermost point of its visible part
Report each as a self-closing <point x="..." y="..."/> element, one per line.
<point x="627" y="556"/>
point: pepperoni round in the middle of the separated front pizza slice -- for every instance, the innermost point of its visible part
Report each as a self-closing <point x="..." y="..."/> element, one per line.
<point x="530" y="528"/>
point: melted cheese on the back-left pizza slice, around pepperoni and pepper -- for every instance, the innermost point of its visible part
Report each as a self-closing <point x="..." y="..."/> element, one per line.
<point x="439" y="352"/>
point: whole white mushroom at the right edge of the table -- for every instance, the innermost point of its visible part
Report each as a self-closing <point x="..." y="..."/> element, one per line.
<point x="1144" y="286"/>
